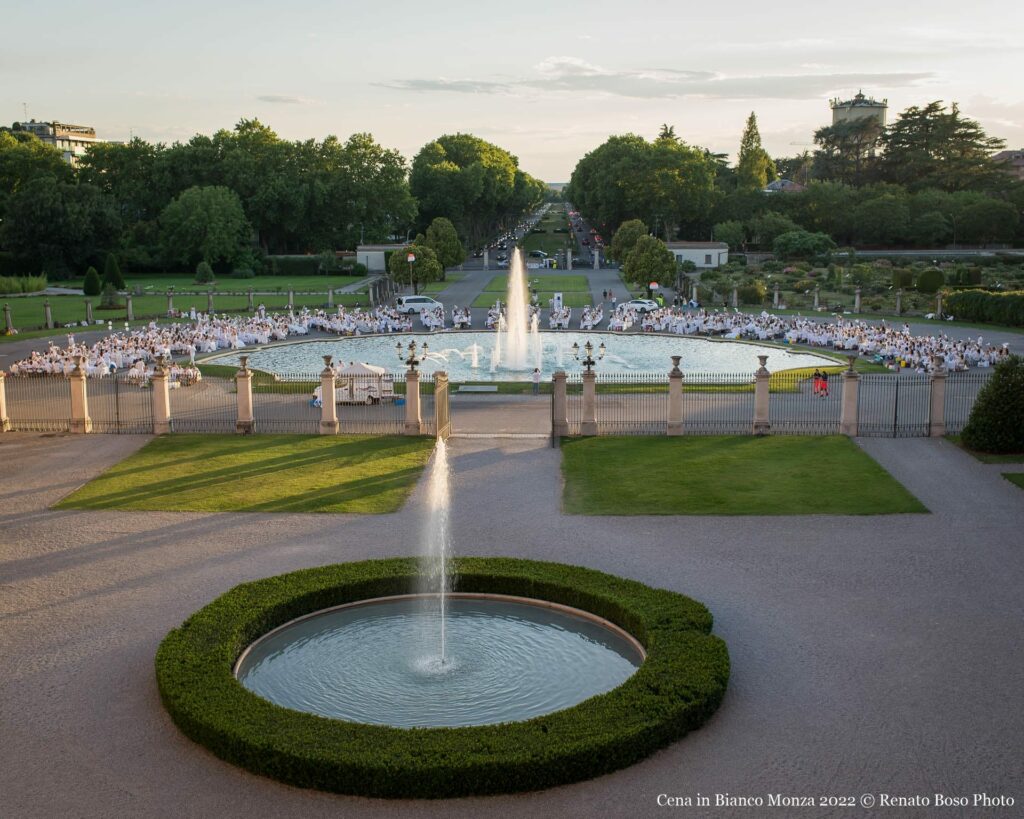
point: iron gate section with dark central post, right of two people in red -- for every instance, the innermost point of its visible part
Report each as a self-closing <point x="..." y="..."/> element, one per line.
<point x="894" y="406"/>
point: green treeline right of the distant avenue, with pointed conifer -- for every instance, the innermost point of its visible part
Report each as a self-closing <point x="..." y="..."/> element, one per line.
<point x="927" y="180"/>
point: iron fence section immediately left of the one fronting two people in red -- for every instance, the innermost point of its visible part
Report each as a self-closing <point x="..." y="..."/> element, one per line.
<point x="718" y="404"/>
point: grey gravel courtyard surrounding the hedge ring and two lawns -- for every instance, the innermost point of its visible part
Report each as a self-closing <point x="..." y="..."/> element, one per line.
<point x="870" y="655"/>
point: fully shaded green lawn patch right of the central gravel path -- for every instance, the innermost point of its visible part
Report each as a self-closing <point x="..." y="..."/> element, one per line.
<point x="728" y="476"/>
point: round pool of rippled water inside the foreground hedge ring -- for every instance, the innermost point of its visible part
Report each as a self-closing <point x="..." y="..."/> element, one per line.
<point x="378" y="662"/>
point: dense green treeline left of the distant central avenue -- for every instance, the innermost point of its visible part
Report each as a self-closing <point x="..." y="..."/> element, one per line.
<point x="237" y="197"/>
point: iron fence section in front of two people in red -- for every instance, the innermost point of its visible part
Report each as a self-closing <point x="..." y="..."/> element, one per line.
<point x="800" y="406"/>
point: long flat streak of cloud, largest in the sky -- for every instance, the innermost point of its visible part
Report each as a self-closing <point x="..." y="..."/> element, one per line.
<point x="573" y="75"/>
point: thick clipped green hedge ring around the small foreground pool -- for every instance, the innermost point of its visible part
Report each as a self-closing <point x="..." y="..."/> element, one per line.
<point x="676" y="691"/>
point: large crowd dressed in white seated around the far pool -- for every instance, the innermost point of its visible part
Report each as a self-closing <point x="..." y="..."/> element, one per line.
<point x="138" y="351"/>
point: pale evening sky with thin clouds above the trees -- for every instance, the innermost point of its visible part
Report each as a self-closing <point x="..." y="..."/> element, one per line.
<point x="548" y="81"/>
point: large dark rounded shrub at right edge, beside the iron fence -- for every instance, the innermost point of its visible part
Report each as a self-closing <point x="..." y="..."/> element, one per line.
<point x="997" y="422"/>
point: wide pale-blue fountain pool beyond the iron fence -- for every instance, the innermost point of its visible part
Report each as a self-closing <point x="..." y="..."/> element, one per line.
<point x="458" y="353"/>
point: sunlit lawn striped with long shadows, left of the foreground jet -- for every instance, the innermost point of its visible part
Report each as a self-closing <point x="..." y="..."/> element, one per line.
<point x="261" y="473"/>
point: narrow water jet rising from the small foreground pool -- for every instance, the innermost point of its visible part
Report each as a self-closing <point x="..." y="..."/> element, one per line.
<point x="438" y="541"/>
